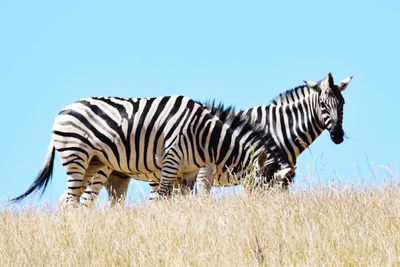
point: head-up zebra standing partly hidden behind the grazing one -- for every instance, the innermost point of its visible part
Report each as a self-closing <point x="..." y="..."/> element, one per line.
<point x="294" y="120"/>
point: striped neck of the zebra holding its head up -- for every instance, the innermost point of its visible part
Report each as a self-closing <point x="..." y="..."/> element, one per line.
<point x="295" y="124"/>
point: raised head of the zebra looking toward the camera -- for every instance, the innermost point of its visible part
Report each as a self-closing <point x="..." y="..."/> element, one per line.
<point x="330" y="104"/>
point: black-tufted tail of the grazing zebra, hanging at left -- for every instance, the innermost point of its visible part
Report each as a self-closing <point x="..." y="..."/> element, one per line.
<point x="42" y="178"/>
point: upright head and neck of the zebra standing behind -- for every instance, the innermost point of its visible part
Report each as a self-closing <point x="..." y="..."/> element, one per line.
<point x="296" y="118"/>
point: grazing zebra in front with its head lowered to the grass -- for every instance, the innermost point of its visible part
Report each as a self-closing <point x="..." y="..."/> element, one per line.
<point x="153" y="139"/>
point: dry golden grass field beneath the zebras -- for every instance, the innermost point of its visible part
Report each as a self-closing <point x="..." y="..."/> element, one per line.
<point x="327" y="226"/>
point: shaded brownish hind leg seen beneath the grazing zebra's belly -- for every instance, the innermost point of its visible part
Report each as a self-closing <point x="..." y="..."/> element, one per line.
<point x="117" y="187"/>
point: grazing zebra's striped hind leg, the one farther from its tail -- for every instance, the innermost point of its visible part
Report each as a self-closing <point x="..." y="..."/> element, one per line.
<point x="95" y="184"/>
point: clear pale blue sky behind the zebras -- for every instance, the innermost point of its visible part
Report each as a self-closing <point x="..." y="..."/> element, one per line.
<point x="241" y="52"/>
